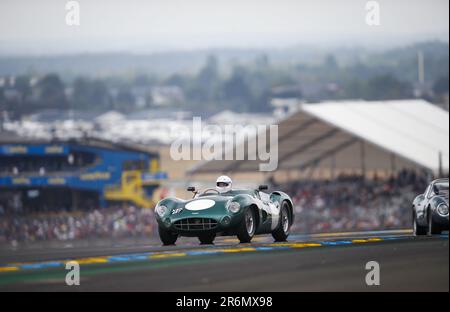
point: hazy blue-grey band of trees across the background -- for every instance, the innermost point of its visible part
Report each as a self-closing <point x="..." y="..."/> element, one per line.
<point x="243" y="87"/>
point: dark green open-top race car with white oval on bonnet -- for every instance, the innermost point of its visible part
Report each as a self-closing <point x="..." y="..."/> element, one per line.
<point x="244" y="213"/>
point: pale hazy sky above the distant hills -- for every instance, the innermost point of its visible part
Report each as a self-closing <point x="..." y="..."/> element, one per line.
<point x="38" y="26"/>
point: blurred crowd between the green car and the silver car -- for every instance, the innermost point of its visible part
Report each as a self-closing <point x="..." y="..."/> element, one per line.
<point x="355" y="203"/>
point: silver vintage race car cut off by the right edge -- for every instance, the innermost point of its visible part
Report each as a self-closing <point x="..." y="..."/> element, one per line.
<point x="430" y="209"/>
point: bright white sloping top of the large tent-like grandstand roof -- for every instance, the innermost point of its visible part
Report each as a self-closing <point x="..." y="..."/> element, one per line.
<point x="413" y="129"/>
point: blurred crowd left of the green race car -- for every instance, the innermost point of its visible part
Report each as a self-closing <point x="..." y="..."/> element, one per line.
<point x="113" y="222"/>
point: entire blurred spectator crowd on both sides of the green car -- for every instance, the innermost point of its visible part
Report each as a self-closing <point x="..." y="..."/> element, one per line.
<point x="345" y="203"/>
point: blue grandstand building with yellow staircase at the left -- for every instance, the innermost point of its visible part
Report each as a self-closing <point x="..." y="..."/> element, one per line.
<point x="72" y="175"/>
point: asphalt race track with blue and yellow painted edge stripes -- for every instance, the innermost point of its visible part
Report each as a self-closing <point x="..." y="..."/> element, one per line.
<point x="324" y="262"/>
